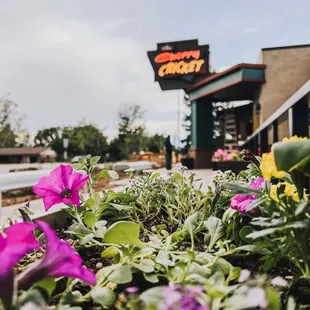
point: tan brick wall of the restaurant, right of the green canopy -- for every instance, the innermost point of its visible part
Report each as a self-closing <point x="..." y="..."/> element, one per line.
<point x="287" y="70"/>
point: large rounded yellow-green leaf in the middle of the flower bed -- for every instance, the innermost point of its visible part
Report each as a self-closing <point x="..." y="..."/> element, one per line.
<point x="124" y="233"/>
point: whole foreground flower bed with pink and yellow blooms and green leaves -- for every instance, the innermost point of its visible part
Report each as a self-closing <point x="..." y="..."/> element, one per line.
<point x="162" y="243"/>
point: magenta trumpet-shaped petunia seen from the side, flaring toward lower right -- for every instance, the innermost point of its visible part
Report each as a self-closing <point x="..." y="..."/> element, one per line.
<point x="59" y="260"/>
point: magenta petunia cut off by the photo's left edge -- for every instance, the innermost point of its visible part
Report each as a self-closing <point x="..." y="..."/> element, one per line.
<point x="17" y="241"/>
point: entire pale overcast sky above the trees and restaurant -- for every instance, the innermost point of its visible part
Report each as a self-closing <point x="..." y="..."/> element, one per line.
<point x="67" y="60"/>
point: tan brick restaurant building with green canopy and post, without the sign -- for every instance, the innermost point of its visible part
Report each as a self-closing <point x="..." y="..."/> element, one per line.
<point x="276" y="90"/>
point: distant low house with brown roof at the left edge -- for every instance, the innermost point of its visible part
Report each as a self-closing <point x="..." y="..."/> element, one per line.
<point x="27" y="155"/>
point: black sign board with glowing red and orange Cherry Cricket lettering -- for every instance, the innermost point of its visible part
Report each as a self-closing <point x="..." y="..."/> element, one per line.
<point x="177" y="65"/>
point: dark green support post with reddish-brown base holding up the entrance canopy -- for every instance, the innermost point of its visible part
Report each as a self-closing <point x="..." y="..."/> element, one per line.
<point x="201" y="133"/>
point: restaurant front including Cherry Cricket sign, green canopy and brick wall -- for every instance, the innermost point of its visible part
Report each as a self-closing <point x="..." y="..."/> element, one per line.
<point x="267" y="86"/>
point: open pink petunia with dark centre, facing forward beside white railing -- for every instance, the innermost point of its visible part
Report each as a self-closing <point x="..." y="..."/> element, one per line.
<point x="61" y="186"/>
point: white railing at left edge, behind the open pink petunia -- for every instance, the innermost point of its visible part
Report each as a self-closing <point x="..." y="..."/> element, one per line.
<point x="16" y="180"/>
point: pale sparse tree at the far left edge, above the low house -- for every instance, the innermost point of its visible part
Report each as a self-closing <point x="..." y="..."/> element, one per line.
<point x="10" y="123"/>
